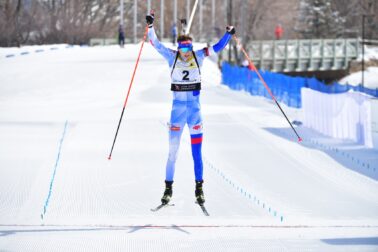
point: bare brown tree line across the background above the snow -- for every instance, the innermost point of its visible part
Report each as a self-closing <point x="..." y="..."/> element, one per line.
<point x="76" y="21"/>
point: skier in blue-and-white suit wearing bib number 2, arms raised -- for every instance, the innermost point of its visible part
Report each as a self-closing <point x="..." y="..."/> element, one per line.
<point x="185" y="65"/>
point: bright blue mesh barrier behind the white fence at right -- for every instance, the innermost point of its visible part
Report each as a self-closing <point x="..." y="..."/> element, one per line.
<point x="285" y="88"/>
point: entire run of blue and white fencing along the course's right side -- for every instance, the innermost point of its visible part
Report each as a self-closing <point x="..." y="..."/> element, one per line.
<point x="339" y="111"/>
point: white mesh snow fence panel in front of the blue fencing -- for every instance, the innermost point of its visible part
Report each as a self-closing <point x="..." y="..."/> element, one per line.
<point x="351" y="115"/>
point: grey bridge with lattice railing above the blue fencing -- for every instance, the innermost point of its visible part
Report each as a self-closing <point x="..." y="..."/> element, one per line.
<point x="310" y="55"/>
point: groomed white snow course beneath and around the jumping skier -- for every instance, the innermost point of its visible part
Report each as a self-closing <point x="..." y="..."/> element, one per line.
<point x="264" y="190"/>
